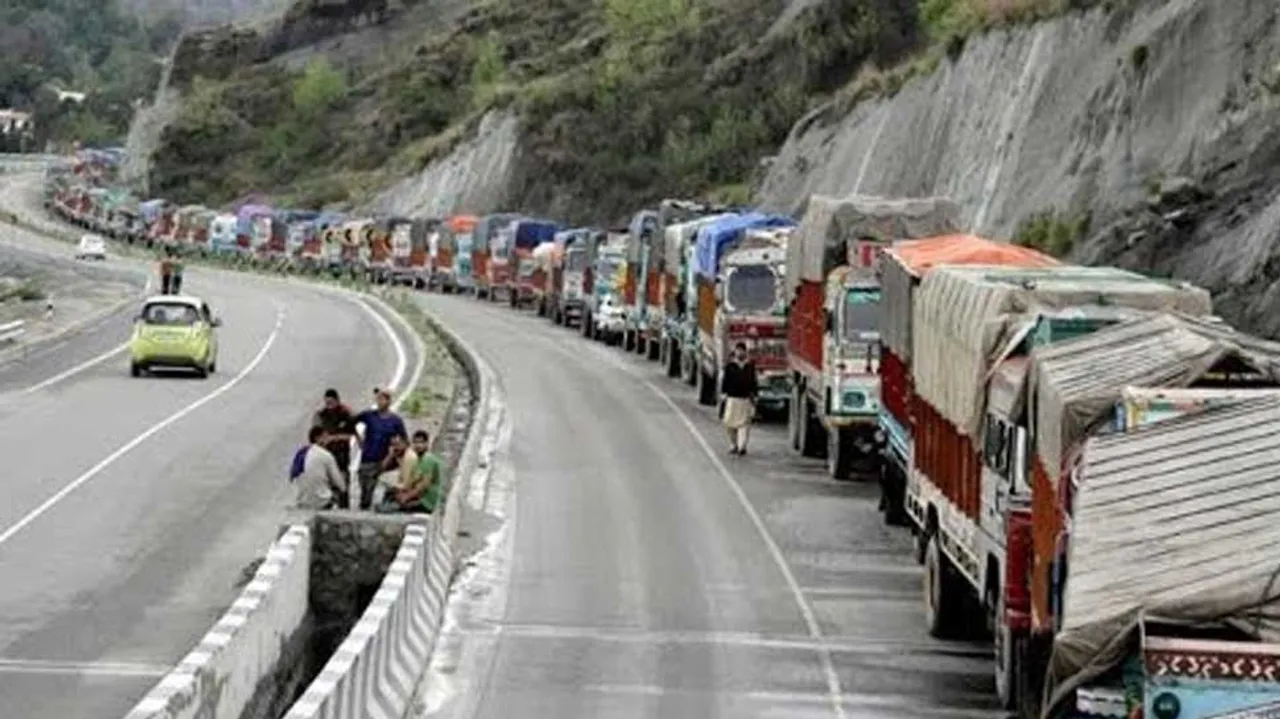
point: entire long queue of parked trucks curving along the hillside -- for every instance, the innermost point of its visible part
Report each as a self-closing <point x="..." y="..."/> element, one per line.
<point x="1087" y="457"/>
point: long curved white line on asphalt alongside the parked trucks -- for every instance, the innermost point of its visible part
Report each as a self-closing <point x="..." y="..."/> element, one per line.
<point x="829" y="666"/>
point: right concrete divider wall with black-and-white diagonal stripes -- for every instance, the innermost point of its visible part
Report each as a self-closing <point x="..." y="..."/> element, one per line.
<point x="374" y="672"/>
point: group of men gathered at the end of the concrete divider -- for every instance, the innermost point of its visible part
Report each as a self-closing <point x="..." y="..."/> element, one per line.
<point x="396" y="473"/>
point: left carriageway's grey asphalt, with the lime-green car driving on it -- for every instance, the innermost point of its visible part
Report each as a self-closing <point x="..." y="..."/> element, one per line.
<point x="132" y="506"/>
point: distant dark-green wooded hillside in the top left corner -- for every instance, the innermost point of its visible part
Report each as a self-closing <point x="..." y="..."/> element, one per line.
<point x="77" y="45"/>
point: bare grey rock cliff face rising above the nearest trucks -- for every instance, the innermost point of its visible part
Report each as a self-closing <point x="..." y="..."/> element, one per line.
<point x="1159" y="126"/>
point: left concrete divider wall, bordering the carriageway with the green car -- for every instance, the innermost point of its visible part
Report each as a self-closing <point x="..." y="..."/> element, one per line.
<point x="231" y="674"/>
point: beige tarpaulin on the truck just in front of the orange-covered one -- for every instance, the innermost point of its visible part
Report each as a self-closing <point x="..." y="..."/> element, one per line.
<point x="962" y="317"/>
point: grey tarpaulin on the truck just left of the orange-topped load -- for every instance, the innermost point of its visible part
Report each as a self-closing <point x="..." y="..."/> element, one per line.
<point x="829" y="223"/>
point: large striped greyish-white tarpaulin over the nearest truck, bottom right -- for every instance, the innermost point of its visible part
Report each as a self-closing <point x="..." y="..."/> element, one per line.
<point x="1177" y="523"/>
